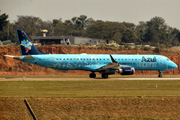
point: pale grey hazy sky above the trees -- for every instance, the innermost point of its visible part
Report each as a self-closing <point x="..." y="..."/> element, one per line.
<point x="107" y="10"/>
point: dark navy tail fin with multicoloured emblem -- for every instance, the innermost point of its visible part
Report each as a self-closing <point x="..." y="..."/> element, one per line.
<point x="26" y="46"/>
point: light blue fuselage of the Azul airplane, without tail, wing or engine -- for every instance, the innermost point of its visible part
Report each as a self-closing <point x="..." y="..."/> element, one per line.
<point x="91" y="62"/>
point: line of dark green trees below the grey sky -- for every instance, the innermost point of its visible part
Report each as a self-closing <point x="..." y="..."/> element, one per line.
<point x="153" y="32"/>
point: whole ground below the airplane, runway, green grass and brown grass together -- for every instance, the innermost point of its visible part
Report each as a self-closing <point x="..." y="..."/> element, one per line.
<point x="55" y="97"/>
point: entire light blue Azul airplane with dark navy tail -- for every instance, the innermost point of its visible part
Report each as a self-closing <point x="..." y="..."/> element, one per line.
<point x="106" y="64"/>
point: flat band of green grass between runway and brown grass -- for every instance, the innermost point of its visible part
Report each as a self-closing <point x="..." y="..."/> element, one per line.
<point x="89" y="89"/>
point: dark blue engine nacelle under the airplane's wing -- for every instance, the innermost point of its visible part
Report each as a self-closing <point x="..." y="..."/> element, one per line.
<point x="126" y="71"/>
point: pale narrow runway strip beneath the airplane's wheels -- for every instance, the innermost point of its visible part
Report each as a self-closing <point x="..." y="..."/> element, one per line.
<point x="81" y="79"/>
